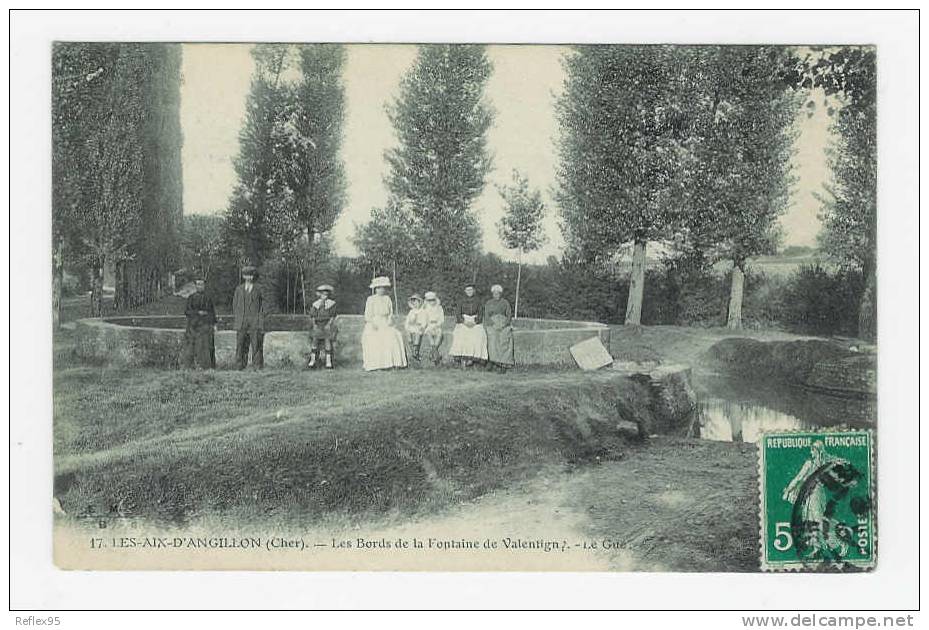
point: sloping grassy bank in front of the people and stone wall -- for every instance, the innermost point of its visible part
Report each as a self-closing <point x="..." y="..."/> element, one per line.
<point x="174" y="445"/>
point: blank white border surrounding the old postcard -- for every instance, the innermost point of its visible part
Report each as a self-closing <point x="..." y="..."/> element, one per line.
<point x="37" y="584"/>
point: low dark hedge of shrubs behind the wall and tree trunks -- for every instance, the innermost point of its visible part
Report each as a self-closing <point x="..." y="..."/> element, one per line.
<point x="814" y="300"/>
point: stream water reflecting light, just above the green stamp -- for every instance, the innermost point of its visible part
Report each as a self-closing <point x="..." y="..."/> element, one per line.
<point x="737" y="410"/>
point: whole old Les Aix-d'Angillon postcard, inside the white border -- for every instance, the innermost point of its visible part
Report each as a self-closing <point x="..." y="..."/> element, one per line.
<point x="464" y="307"/>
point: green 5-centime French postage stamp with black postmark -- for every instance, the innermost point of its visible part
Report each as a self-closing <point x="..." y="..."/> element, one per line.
<point x="817" y="500"/>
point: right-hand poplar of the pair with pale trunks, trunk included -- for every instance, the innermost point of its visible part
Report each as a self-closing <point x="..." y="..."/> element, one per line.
<point x="742" y="177"/>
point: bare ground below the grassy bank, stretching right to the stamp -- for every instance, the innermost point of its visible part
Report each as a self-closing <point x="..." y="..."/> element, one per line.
<point x="660" y="508"/>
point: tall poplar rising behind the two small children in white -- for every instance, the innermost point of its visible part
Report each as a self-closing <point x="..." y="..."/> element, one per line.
<point x="441" y="160"/>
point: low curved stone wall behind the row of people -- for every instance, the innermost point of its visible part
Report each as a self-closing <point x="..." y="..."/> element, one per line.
<point x="157" y="340"/>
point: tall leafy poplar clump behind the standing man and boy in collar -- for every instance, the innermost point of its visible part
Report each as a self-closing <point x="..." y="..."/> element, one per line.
<point x="291" y="179"/>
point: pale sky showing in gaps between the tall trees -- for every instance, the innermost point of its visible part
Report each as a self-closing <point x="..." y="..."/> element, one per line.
<point x="521" y="91"/>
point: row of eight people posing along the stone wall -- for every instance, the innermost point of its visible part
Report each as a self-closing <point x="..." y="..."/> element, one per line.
<point x="483" y="332"/>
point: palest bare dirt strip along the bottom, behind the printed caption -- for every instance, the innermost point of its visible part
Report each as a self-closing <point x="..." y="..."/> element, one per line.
<point x="531" y="526"/>
